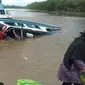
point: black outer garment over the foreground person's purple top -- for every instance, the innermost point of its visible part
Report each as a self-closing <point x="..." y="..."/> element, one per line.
<point x="76" y="51"/>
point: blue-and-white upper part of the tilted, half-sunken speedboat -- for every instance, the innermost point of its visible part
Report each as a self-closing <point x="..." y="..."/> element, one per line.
<point x="31" y="27"/>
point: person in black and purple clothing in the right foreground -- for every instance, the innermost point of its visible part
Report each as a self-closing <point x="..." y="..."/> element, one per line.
<point x="73" y="62"/>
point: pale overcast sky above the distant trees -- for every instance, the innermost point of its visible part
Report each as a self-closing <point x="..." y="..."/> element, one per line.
<point x="19" y="2"/>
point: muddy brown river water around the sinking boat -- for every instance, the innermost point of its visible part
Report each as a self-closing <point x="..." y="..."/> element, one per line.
<point x="38" y="58"/>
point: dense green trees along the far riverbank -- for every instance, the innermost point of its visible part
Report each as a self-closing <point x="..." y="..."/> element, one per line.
<point x="59" y="5"/>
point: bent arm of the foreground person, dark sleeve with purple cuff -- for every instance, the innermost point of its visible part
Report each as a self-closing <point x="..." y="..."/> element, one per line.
<point x="78" y="56"/>
